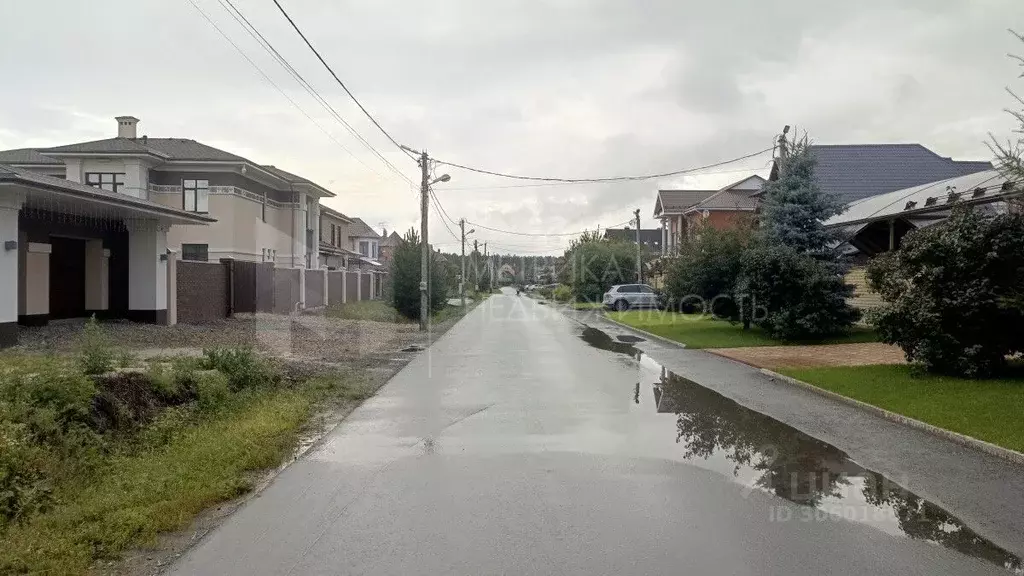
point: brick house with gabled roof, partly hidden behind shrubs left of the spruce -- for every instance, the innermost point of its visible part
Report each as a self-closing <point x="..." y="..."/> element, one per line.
<point x="681" y="211"/>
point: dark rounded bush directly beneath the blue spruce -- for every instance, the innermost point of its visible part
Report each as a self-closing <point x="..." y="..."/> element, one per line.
<point x="794" y="297"/>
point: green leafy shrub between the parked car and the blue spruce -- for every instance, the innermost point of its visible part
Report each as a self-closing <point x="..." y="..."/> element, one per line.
<point x="703" y="278"/>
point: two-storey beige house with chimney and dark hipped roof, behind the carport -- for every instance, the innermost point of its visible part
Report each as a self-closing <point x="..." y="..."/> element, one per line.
<point x="259" y="213"/>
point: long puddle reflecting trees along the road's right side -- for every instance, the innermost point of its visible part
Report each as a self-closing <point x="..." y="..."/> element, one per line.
<point x="769" y="456"/>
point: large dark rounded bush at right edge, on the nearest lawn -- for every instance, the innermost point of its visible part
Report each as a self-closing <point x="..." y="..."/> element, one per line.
<point x="955" y="294"/>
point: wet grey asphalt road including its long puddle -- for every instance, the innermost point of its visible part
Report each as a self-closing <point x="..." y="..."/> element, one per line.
<point x="524" y="443"/>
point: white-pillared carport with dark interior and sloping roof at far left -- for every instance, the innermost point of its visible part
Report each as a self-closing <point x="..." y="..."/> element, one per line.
<point x="70" y="251"/>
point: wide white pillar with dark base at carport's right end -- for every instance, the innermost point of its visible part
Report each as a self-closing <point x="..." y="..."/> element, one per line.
<point x="148" y="272"/>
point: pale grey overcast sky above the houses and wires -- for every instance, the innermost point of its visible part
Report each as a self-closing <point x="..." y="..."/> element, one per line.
<point x="573" y="89"/>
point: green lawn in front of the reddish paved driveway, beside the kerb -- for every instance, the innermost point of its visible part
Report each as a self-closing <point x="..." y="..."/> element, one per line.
<point x="989" y="410"/>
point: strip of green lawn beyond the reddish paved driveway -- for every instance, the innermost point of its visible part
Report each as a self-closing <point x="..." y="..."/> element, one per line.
<point x="705" y="333"/>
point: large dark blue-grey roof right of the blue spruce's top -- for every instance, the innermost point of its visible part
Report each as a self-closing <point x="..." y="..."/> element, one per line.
<point x="856" y="172"/>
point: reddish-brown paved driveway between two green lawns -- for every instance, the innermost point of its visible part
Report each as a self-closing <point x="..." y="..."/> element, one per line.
<point x="816" y="356"/>
